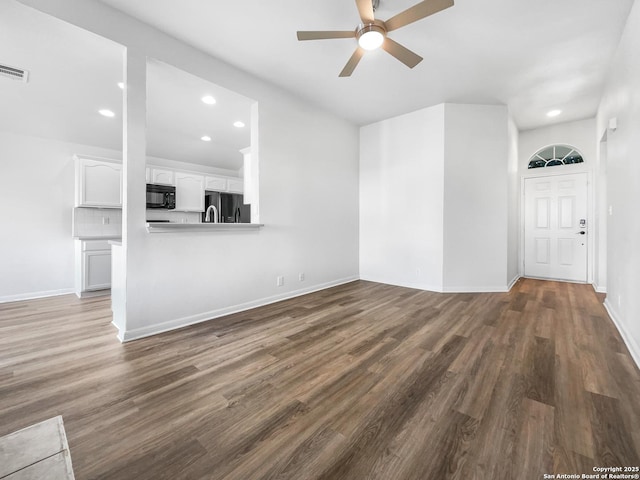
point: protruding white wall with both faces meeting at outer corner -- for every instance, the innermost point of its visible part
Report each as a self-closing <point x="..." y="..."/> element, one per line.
<point x="433" y="199"/>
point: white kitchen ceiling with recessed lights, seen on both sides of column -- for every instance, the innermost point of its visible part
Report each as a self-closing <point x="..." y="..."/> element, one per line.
<point x="74" y="73"/>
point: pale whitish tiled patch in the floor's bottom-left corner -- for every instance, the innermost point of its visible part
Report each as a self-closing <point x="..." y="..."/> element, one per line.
<point x="38" y="452"/>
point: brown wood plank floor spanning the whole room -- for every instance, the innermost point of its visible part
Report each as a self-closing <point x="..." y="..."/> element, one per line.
<point x="361" y="381"/>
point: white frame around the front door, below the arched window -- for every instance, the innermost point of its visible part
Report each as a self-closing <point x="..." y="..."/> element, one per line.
<point x="566" y="170"/>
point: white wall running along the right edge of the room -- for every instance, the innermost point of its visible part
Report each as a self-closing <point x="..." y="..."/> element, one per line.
<point x="621" y="100"/>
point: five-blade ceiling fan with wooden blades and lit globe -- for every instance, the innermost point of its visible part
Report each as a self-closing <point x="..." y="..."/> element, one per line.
<point x="372" y="33"/>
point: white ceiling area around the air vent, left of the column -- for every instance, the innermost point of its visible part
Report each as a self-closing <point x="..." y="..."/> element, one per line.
<point x="72" y="74"/>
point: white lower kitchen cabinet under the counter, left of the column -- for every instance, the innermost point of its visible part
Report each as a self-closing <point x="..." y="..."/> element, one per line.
<point x="93" y="267"/>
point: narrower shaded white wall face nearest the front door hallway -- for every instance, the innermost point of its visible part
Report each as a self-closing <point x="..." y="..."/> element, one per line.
<point x="475" y="198"/>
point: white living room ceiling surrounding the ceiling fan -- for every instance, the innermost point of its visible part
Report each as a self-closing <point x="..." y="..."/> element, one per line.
<point x="532" y="55"/>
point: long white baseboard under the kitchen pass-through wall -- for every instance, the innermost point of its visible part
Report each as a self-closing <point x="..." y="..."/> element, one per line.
<point x="138" y="333"/>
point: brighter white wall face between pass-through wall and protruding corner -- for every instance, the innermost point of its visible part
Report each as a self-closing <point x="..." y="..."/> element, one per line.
<point x="401" y="199"/>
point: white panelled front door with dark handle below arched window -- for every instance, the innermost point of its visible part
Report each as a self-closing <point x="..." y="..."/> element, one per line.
<point x="555" y="227"/>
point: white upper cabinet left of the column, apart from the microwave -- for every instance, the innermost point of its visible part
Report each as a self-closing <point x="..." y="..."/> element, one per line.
<point x="98" y="183"/>
